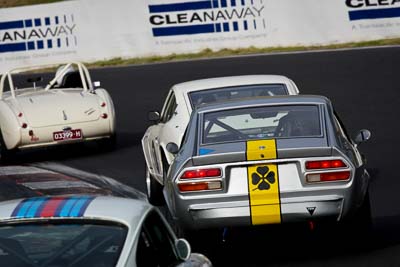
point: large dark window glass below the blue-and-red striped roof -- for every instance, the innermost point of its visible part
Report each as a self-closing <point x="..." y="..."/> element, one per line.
<point x="61" y="244"/>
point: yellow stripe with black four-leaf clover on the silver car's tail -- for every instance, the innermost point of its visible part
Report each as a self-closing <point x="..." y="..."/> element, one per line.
<point x="263" y="182"/>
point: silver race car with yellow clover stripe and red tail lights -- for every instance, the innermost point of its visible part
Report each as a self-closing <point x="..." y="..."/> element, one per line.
<point x="265" y="161"/>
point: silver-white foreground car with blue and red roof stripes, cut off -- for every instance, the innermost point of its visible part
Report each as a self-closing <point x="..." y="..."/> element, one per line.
<point x="71" y="218"/>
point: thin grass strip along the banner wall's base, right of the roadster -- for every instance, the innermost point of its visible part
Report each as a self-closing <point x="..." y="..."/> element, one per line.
<point x="208" y="53"/>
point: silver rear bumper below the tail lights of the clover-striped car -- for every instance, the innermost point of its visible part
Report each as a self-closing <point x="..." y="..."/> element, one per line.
<point x="215" y="210"/>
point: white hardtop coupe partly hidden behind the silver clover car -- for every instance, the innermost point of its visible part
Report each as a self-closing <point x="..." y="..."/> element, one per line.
<point x="182" y="98"/>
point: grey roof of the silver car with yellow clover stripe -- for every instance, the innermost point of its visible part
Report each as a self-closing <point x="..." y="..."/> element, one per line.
<point x="265" y="100"/>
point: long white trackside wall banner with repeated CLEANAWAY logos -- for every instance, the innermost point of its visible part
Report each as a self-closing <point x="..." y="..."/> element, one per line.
<point x="92" y="30"/>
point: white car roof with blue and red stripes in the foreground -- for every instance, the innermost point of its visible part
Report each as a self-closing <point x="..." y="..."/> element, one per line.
<point x="105" y="208"/>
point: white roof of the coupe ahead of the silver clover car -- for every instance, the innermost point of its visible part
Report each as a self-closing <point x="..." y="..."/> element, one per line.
<point x="220" y="82"/>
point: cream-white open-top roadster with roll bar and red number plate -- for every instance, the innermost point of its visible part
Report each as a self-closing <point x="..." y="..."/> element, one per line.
<point x="65" y="109"/>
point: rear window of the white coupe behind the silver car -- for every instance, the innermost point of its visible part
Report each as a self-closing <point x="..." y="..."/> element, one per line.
<point x="209" y="96"/>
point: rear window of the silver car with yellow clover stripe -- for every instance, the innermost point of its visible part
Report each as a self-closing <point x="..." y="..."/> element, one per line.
<point x="290" y="121"/>
